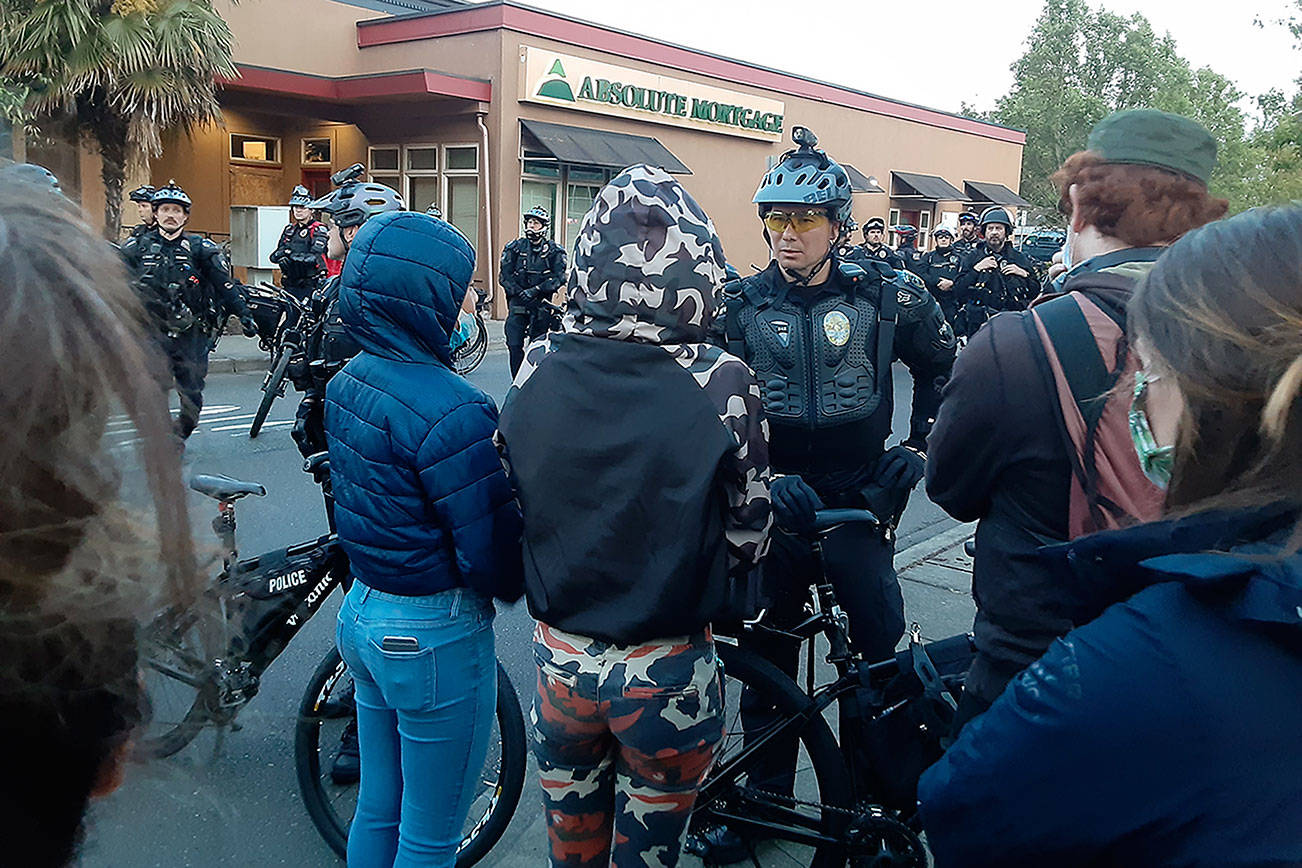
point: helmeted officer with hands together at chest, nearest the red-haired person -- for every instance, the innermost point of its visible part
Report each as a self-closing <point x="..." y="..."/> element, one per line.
<point x="995" y="277"/>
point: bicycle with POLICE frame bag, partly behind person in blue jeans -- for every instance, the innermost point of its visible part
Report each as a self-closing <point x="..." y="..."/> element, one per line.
<point x="202" y="664"/>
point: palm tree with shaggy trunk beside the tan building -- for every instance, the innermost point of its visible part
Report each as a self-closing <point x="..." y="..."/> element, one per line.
<point x="124" y="72"/>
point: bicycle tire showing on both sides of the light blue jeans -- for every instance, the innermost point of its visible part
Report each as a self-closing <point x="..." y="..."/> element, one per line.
<point x="334" y="830"/>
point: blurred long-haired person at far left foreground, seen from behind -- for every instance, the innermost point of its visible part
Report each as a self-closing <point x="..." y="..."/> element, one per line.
<point x="79" y="569"/>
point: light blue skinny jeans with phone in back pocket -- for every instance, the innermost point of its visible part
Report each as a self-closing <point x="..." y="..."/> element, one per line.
<point x="426" y="694"/>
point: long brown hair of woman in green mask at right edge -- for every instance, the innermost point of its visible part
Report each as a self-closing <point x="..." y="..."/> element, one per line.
<point x="1223" y="313"/>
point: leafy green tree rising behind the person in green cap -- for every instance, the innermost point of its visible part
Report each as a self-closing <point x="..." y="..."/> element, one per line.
<point x="1083" y="64"/>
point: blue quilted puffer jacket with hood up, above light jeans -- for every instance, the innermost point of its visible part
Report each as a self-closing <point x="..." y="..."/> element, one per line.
<point x="421" y="499"/>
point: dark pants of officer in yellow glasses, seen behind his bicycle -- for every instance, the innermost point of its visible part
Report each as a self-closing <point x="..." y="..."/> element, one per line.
<point x="860" y="560"/>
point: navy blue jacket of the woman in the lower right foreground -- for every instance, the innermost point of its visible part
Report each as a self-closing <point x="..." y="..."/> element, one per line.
<point x="1165" y="732"/>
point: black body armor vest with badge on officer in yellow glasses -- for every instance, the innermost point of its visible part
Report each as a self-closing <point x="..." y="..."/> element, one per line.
<point x="818" y="365"/>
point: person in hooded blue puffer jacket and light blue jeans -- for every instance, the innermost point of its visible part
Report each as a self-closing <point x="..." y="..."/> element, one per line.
<point x="433" y="533"/>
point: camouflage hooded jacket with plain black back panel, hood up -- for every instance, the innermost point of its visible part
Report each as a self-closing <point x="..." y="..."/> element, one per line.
<point x="639" y="451"/>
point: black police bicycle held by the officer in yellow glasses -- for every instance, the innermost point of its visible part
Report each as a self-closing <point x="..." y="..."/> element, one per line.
<point x="853" y="804"/>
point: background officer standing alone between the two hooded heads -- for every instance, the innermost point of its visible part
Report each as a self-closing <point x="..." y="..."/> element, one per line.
<point x="533" y="269"/>
